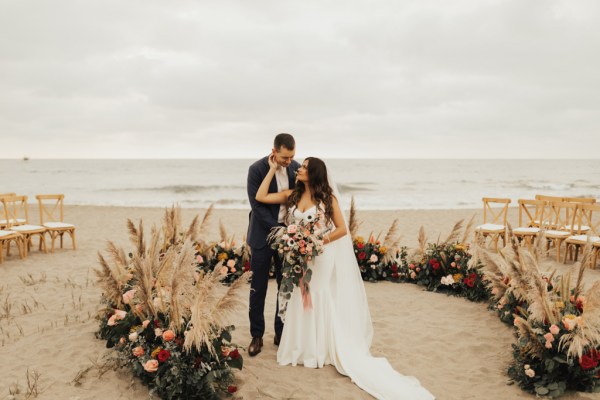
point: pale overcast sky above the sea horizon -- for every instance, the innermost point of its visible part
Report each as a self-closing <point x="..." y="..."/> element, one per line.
<point x="206" y="79"/>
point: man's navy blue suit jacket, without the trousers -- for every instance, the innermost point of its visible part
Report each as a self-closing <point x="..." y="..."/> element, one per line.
<point x="263" y="216"/>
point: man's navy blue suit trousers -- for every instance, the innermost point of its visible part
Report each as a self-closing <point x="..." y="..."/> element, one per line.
<point x="260" y="263"/>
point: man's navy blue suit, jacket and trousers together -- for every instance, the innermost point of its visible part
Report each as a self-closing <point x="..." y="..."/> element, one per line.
<point x="263" y="217"/>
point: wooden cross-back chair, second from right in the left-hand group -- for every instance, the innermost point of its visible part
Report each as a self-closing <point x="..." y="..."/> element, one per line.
<point x="15" y="206"/>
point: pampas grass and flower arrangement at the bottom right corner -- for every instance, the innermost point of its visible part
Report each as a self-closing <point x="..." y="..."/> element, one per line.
<point x="557" y="324"/>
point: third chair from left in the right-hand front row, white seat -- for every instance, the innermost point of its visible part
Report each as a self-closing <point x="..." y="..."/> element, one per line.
<point x="561" y="222"/>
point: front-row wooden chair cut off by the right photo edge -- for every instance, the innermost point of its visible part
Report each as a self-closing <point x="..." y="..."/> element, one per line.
<point x="589" y="217"/>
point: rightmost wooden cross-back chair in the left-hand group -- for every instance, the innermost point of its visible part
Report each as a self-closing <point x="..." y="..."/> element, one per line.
<point x="51" y="217"/>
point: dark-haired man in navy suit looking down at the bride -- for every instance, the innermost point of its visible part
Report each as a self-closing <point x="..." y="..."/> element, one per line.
<point x="263" y="217"/>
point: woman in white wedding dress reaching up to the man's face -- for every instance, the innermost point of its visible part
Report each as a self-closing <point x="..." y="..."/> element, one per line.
<point x="337" y="329"/>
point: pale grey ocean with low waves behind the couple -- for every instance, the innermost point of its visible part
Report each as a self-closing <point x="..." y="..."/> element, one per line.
<point x="375" y="184"/>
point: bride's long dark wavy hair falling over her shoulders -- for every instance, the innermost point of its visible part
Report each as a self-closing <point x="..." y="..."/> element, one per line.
<point x="319" y="185"/>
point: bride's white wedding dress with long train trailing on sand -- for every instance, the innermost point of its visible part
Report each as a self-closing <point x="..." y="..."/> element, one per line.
<point x="338" y="329"/>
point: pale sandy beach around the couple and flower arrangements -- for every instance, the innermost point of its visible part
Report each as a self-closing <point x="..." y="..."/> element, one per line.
<point x="48" y="303"/>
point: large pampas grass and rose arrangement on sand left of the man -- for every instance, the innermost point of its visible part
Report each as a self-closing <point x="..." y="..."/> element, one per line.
<point x="168" y="324"/>
